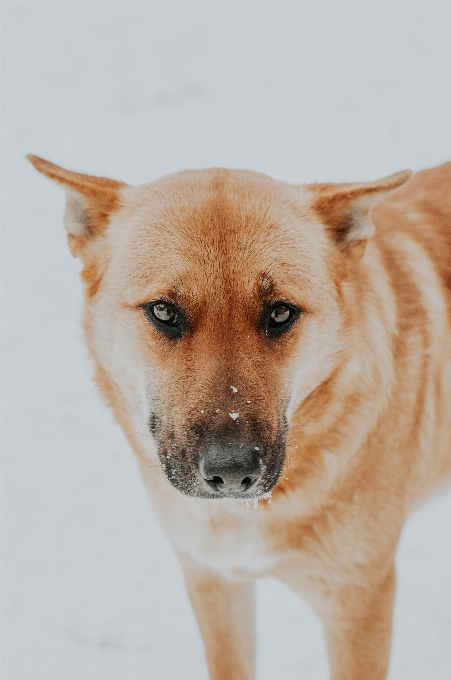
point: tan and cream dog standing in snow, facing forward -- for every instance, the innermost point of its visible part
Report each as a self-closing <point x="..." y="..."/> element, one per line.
<point x="279" y="357"/>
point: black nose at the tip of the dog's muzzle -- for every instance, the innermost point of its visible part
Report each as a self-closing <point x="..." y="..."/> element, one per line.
<point x="231" y="469"/>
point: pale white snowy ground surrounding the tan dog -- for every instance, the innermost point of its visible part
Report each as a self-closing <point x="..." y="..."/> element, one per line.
<point x="302" y="91"/>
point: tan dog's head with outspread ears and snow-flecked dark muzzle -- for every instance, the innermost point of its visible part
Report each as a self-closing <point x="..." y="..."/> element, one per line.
<point x="213" y="310"/>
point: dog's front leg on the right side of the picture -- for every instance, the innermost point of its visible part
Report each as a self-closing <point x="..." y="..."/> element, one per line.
<point x="358" y="628"/>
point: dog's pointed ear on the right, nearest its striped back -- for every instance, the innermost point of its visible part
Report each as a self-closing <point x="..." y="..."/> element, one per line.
<point x="345" y="208"/>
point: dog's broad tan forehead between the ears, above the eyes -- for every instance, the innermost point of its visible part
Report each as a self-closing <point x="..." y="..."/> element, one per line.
<point x="202" y="227"/>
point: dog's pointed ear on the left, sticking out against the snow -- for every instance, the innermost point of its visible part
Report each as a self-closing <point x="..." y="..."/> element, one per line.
<point x="90" y="202"/>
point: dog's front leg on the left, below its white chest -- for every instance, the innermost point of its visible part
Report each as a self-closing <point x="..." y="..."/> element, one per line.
<point x="225" y="612"/>
